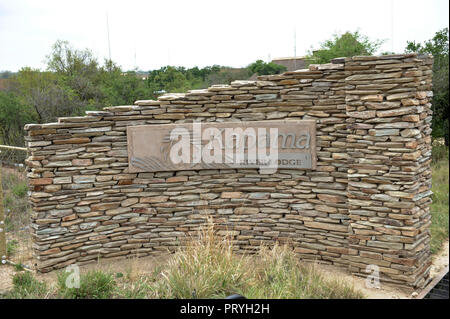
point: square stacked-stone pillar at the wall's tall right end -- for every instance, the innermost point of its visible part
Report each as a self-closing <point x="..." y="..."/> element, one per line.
<point x="389" y="181"/>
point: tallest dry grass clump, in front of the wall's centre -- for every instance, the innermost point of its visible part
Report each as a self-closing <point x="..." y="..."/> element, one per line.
<point x="205" y="268"/>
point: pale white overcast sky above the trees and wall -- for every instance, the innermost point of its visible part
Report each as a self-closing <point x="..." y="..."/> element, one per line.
<point x="151" y="34"/>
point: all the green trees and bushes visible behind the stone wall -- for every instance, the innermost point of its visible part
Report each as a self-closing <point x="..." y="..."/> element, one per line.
<point x="75" y="81"/>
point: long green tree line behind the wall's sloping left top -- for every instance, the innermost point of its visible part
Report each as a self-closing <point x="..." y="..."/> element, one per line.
<point x="74" y="82"/>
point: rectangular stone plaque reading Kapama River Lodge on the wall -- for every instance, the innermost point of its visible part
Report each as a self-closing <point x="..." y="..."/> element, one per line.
<point x="210" y="145"/>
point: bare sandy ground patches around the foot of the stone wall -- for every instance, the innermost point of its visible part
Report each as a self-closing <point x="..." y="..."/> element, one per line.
<point x="135" y="267"/>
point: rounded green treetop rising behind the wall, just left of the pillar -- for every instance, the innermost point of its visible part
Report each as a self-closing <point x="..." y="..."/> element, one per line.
<point x="345" y="45"/>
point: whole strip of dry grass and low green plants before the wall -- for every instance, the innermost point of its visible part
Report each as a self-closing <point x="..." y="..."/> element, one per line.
<point x="208" y="267"/>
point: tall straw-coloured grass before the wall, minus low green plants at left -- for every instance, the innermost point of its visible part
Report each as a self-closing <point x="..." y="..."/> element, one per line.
<point x="208" y="267"/>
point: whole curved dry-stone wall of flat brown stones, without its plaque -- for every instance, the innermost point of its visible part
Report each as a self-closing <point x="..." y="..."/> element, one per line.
<point x="366" y="202"/>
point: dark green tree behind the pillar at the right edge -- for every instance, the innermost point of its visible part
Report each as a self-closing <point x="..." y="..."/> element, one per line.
<point x="438" y="47"/>
